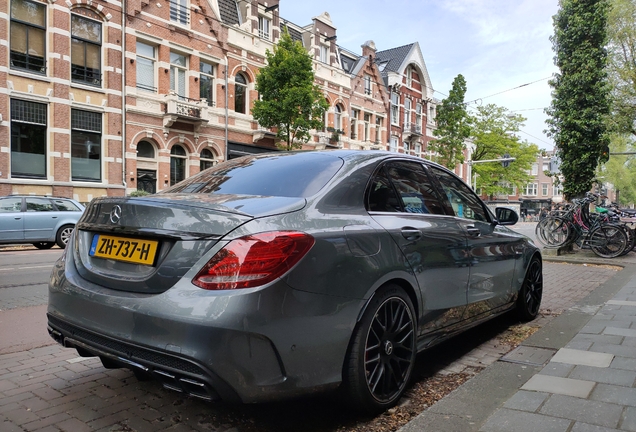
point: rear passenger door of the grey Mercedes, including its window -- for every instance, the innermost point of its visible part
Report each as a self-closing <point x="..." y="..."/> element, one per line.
<point x="403" y="201"/>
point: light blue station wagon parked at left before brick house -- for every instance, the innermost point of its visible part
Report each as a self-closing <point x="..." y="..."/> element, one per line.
<point x="40" y="220"/>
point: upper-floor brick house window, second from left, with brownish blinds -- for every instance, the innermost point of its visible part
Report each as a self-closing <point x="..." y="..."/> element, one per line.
<point x="86" y="51"/>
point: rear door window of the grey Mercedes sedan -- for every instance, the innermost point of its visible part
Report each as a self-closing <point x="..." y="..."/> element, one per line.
<point x="414" y="187"/>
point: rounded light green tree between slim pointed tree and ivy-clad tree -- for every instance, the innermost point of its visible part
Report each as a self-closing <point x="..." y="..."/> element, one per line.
<point x="494" y="134"/>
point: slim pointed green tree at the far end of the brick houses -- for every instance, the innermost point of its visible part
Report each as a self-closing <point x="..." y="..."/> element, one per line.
<point x="453" y="126"/>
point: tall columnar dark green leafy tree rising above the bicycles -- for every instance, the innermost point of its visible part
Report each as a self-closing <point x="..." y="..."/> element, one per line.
<point x="580" y="92"/>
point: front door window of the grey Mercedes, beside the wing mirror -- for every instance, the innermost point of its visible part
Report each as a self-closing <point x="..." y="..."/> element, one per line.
<point x="462" y="199"/>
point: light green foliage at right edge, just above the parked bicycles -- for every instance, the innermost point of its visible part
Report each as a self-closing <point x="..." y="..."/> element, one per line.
<point x="620" y="170"/>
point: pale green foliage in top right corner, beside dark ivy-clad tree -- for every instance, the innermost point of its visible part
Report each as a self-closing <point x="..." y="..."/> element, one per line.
<point x="622" y="64"/>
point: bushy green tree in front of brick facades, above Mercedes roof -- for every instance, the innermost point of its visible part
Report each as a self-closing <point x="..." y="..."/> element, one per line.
<point x="289" y="99"/>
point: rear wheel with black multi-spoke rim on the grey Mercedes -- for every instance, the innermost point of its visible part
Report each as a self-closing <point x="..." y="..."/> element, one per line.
<point x="382" y="352"/>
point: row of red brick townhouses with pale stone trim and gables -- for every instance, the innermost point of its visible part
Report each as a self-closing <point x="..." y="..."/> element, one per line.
<point x="96" y="100"/>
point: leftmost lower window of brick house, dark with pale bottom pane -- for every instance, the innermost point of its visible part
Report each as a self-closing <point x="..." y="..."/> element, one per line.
<point x="28" y="139"/>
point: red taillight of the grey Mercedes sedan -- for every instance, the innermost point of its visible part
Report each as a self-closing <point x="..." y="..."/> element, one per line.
<point x="253" y="260"/>
